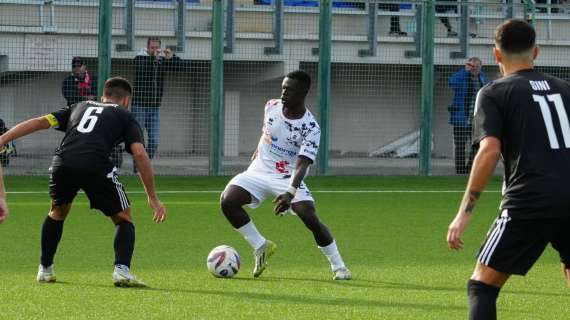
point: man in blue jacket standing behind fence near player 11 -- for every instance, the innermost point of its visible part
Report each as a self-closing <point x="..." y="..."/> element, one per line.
<point x="465" y="84"/>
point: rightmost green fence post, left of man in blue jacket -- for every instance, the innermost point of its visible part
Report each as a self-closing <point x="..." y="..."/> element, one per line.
<point x="427" y="89"/>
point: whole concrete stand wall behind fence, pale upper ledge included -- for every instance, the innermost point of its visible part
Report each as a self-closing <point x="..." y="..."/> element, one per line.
<point x="374" y="100"/>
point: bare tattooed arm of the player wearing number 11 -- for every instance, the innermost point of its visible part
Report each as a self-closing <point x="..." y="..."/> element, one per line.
<point x="483" y="166"/>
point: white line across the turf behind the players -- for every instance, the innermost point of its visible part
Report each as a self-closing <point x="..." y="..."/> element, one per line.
<point x="313" y="191"/>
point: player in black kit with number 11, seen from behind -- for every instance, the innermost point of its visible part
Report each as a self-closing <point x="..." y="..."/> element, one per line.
<point x="522" y="117"/>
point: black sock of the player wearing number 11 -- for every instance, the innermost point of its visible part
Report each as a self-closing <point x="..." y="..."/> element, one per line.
<point x="482" y="300"/>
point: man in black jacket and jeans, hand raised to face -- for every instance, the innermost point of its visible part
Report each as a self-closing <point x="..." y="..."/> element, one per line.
<point x="151" y="65"/>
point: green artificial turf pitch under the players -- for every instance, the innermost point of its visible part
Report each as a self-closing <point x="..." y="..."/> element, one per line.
<point x="394" y="243"/>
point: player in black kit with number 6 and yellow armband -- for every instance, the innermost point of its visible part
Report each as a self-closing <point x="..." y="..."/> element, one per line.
<point x="92" y="130"/>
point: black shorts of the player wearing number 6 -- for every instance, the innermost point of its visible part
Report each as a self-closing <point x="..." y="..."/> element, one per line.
<point x="103" y="189"/>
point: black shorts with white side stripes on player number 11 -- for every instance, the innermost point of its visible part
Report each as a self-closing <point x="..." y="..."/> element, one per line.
<point x="513" y="245"/>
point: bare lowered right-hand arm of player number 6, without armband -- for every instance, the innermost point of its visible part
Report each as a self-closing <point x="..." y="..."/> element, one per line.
<point x="147" y="177"/>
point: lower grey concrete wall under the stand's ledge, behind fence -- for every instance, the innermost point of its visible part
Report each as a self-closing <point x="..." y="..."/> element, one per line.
<point x="372" y="105"/>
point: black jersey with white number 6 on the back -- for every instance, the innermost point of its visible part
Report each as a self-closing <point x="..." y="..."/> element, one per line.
<point x="92" y="130"/>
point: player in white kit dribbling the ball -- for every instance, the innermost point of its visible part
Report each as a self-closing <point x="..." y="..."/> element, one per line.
<point x="288" y="146"/>
